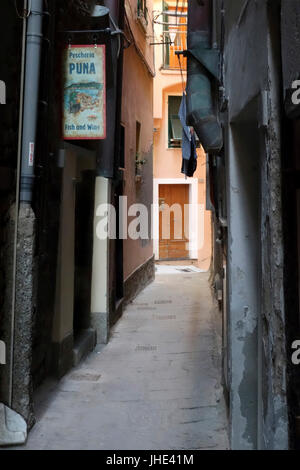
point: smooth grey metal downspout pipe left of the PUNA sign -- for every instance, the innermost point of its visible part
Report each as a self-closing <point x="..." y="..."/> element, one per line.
<point x="34" y="40"/>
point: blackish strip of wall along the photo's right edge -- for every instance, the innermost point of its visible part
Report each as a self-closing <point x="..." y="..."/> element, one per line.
<point x="290" y="45"/>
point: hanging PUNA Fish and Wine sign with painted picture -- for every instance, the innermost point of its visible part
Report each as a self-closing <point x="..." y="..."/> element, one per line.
<point x="84" y="105"/>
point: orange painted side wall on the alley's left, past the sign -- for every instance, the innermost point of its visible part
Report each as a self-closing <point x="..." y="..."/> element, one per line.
<point x="138" y="106"/>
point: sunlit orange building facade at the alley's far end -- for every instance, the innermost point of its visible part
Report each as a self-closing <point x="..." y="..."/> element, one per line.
<point x="171" y="187"/>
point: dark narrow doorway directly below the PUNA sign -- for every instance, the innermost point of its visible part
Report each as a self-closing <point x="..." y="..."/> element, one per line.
<point x="72" y="335"/>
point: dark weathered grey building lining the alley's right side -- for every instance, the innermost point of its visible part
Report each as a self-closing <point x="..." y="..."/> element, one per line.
<point x="241" y="71"/>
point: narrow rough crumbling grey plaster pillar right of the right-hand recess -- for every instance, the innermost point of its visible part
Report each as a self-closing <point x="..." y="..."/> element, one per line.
<point x="274" y="352"/>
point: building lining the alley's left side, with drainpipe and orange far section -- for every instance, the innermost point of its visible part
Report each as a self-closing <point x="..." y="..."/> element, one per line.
<point x="63" y="286"/>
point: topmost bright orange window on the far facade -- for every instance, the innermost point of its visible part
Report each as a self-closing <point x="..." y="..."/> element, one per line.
<point x="174" y="35"/>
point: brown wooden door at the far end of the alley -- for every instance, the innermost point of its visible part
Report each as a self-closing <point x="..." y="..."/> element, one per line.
<point x="173" y="225"/>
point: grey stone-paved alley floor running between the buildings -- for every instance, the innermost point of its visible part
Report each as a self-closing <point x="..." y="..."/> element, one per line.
<point x="156" y="385"/>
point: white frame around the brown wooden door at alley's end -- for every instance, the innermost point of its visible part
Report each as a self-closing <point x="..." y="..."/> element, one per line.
<point x="193" y="213"/>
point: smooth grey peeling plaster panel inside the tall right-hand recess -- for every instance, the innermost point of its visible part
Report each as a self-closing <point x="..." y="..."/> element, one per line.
<point x="243" y="282"/>
